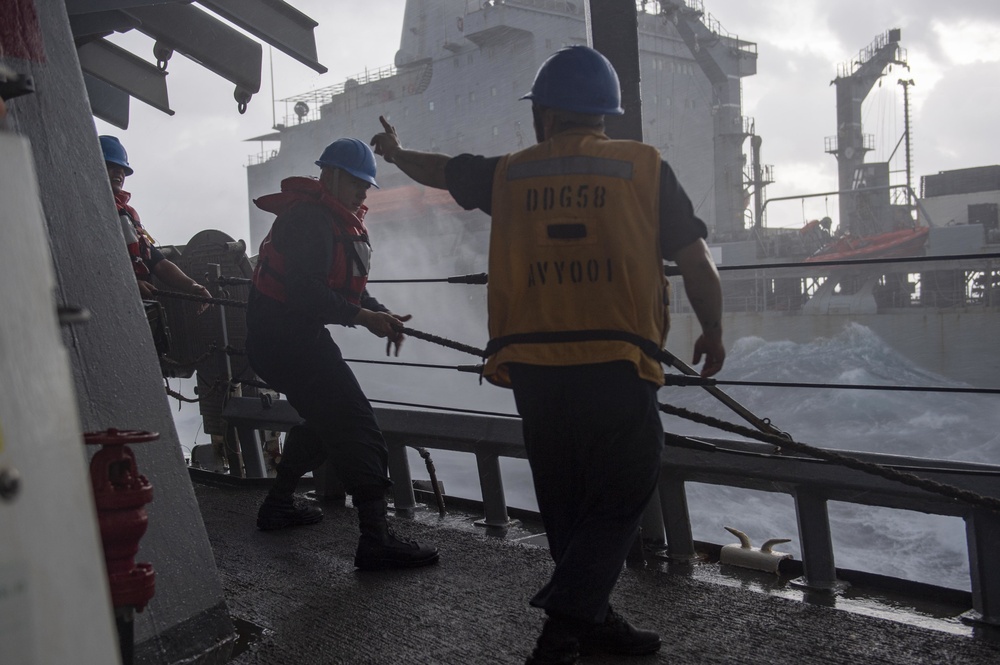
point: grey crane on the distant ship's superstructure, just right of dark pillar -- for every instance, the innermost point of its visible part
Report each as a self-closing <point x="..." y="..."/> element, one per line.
<point x="725" y="60"/>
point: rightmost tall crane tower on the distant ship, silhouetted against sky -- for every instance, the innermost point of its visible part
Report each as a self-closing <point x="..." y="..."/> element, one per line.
<point x="862" y="214"/>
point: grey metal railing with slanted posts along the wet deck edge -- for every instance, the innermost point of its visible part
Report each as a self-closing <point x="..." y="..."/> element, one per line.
<point x="810" y="482"/>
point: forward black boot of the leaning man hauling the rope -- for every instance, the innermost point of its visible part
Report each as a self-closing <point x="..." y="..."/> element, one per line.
<point x="379" y="548"/>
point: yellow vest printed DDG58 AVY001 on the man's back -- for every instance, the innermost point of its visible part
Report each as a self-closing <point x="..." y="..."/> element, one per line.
<point x="576" y="274"/>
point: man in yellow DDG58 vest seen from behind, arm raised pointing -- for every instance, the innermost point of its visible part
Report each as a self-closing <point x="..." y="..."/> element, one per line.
<point x="581" y="225"/>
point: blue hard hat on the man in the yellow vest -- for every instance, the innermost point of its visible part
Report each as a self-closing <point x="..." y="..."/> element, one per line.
<point x="579" y="79"/>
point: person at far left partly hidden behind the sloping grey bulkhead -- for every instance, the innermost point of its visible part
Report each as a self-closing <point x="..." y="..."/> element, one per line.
<point x="147" y="260"/>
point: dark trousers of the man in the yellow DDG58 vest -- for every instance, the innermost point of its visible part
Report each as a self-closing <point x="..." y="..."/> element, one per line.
<point x="593" y="437"/>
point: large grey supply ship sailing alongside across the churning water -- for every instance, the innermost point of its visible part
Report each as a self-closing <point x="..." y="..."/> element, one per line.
<point x="454" y="87"/>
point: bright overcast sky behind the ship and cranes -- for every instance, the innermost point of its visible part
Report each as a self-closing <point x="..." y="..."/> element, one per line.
<point x="189" y="168"/>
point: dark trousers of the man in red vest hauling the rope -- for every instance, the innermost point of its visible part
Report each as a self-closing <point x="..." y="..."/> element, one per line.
<point x="339" y="420"/>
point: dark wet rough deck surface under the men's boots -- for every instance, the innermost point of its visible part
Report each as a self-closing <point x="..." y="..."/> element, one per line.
<point x="300" y="586"/>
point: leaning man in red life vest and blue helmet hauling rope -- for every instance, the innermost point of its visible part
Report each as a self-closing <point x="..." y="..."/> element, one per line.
<point x="311" y="272"/>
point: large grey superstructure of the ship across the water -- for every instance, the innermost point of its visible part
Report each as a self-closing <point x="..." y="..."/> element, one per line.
<point x="455" y="87"/>
